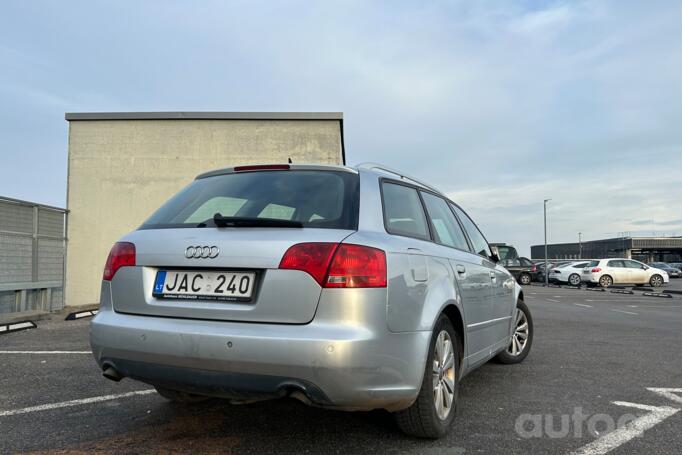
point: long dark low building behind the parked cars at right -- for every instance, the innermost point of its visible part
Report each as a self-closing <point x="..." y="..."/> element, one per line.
<point x="645" y="249"/>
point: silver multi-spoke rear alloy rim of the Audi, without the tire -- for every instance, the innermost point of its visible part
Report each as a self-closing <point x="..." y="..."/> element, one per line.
<point x="443" y="375"/>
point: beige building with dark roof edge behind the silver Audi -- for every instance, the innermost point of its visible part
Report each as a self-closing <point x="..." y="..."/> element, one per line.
<point x="122" y="167"/>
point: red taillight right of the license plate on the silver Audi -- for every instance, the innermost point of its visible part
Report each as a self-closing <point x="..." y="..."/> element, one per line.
<point x="335" y="265"/>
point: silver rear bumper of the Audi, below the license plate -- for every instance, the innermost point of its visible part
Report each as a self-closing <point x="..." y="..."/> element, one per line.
<point x="350" y="367"/>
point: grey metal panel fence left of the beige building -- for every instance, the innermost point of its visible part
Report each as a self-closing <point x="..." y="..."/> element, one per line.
<point x="32" y="254"/>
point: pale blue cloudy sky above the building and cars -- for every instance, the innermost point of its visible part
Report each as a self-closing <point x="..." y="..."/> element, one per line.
<point x="501" y="104"/>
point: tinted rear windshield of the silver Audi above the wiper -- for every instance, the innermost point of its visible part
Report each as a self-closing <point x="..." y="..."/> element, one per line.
<point x="318" y="199"/>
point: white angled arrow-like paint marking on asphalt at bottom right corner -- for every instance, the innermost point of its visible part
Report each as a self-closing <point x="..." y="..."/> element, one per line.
<point x="631" y="430"/>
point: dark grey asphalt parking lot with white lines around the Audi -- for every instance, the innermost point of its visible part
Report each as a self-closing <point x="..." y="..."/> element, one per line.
<point x="595" y="355"/>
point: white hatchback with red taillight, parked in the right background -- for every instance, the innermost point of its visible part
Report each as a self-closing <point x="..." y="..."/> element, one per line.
<point x="606" y="272"/>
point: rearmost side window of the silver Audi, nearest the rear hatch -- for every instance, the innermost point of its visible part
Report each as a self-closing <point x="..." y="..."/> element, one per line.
<point x="403" y="212"/>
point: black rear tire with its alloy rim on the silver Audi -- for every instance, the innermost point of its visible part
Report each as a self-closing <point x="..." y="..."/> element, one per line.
<point x="422" y="419"/>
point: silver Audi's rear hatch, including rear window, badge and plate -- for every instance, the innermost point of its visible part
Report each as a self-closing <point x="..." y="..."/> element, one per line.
<point x="213" y="251"/>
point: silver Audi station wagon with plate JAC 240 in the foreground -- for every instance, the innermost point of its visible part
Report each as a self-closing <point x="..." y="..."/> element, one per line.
<point x="346" y="288"/>
